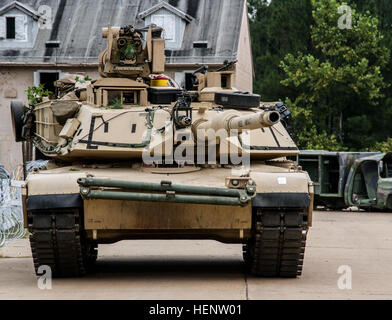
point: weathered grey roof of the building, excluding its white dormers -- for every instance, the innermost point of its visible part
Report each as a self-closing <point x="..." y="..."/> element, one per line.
<point x="77" y="27"/>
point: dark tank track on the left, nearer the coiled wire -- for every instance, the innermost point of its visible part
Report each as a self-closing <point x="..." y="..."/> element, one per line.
<point x="57" y="241"/>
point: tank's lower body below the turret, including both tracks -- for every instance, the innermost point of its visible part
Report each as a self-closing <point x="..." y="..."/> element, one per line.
<point x="67" y="225"/>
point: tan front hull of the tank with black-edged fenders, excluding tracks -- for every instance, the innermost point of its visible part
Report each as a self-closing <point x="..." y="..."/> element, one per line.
<point x="109" y="219"/>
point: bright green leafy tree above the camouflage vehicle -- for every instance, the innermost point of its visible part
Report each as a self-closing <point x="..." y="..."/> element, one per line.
<point x="340" y="82"/>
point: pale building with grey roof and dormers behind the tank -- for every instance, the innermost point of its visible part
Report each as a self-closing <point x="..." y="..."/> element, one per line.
<point x="40" y="40"/>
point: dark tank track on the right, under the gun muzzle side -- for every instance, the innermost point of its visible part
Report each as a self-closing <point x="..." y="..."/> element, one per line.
<point x="277" y="246"/>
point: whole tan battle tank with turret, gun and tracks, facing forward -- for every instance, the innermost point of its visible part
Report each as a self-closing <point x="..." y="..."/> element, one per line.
<point x="132" y="156"/>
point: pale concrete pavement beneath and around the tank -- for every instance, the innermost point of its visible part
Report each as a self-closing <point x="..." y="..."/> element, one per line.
<point x="210" y="270"/>
